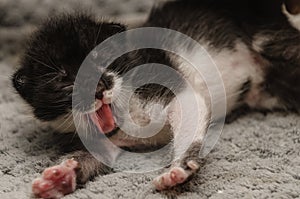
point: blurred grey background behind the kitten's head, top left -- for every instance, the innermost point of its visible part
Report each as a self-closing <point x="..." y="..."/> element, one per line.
<point x="19" y="17"/>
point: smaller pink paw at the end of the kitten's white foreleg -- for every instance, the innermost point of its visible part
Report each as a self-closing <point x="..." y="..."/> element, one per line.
<point x="176" y="176"/>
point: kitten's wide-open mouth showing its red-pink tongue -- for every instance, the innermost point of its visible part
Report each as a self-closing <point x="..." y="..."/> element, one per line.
<point x="103" y="118"/>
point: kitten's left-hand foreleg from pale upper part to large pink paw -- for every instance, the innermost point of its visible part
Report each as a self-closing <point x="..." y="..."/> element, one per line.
<point x="78" y="168"/>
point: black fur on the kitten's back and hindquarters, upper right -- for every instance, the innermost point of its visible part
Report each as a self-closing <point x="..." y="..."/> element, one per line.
<point x="222" y="22"/>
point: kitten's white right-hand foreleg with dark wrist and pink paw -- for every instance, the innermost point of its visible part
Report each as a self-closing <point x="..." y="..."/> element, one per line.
<point x="187" y="146"/>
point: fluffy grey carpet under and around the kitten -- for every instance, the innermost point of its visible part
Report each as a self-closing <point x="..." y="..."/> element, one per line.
<point x="257" y="156"/>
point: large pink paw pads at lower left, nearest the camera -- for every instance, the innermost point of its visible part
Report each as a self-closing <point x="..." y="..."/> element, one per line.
<point x="56" y="181"/>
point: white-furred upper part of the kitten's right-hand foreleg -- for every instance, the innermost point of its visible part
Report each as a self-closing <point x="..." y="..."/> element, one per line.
<point x="189" y="117"/>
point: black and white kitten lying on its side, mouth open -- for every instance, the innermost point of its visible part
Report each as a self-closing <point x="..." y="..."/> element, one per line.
<point x="255" y="44"/>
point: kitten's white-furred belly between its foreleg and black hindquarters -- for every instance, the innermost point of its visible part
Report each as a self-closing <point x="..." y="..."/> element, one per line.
<point x="236" y="66"/>
